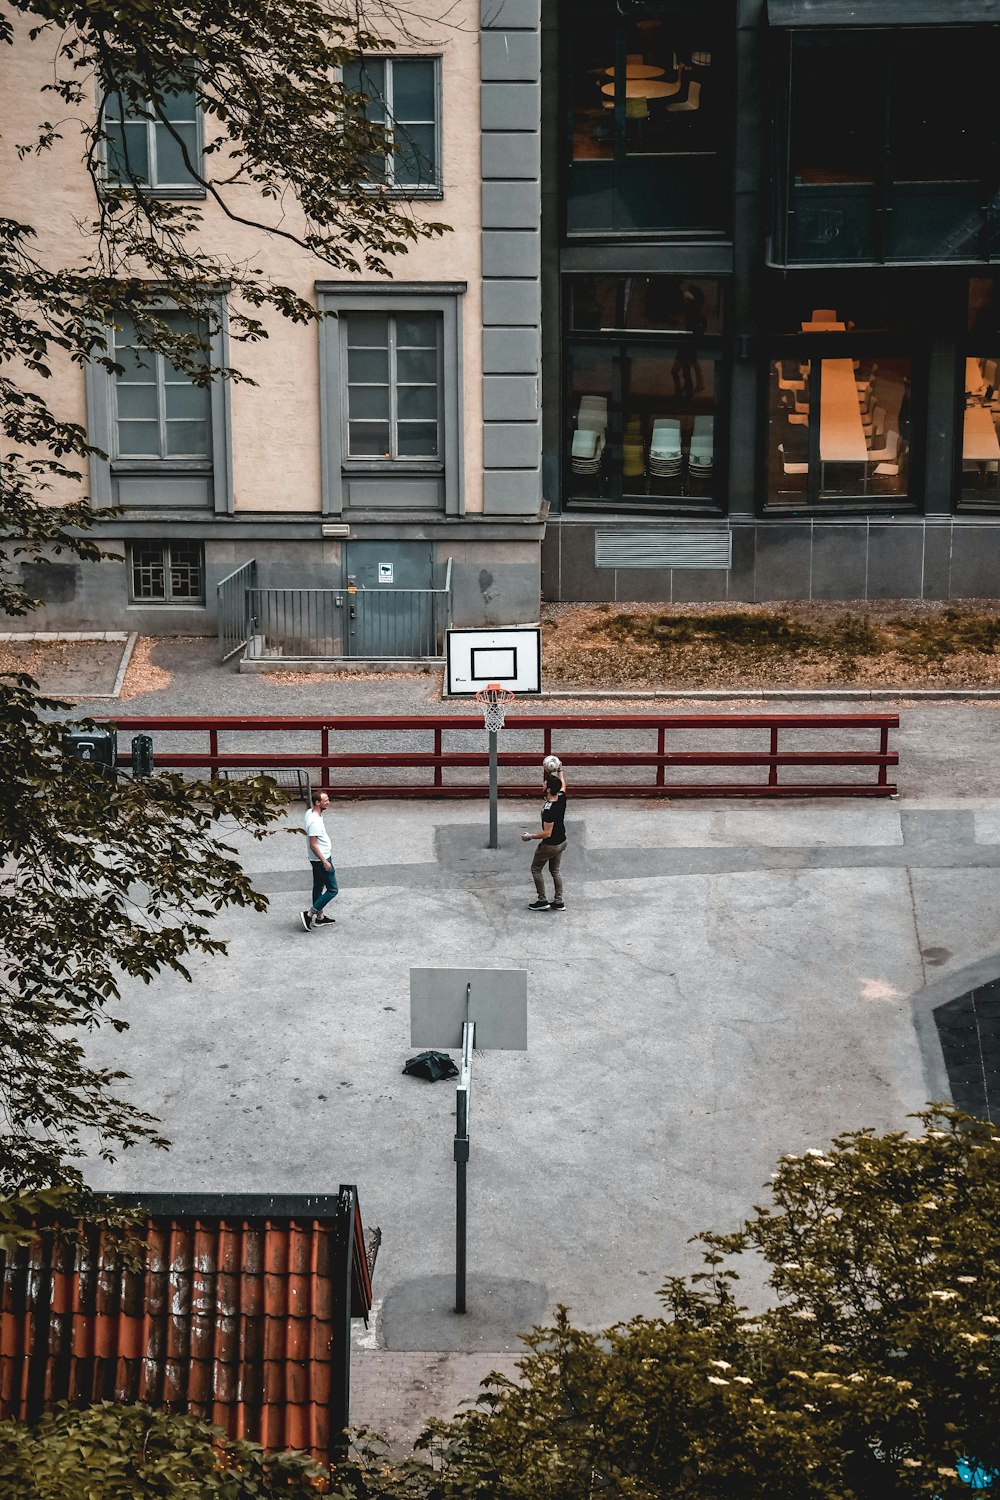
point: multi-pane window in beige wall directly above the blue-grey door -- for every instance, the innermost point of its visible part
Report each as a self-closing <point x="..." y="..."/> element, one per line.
<point x="394" y="362"/>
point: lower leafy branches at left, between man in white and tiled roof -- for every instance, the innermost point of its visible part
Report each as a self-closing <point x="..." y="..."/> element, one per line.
<point x="100" y="878"/>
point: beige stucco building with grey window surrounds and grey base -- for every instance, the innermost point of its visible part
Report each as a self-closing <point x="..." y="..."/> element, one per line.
<point x="374" y="446"/>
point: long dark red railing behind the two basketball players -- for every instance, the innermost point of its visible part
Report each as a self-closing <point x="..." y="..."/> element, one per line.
<point x="776" y="755"/>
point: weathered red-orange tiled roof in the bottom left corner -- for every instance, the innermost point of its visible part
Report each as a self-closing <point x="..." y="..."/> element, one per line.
<point x="241" y="1316"/>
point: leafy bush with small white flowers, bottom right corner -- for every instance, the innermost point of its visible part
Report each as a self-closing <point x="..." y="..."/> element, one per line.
<point x="873" y="1372"/>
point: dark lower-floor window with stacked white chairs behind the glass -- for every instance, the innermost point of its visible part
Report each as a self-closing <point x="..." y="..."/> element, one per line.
<point x="642" y="401"/>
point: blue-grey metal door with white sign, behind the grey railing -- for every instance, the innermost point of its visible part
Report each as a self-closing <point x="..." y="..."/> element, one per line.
<point x="391" y="605"/>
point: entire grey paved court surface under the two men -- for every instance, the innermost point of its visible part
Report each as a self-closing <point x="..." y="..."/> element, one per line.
<point x="729" y="982"/>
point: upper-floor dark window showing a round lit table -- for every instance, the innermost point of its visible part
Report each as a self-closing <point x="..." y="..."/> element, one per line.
<point x="650" y="104"/>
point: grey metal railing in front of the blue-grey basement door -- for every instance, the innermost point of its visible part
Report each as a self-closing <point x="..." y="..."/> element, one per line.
<point x="334" y="623"/>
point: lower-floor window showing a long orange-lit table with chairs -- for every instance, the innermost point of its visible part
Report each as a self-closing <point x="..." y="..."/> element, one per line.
<point x="839" y="430"/>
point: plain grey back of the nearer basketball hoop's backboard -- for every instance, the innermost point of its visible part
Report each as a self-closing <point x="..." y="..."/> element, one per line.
<point x="499" y="1004"/>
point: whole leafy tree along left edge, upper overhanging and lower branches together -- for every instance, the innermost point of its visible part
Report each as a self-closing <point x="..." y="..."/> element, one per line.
<point x="101" y="880"/>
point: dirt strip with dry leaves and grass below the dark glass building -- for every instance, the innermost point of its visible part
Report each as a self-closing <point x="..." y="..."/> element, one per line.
<point x="771" y="647"/>
